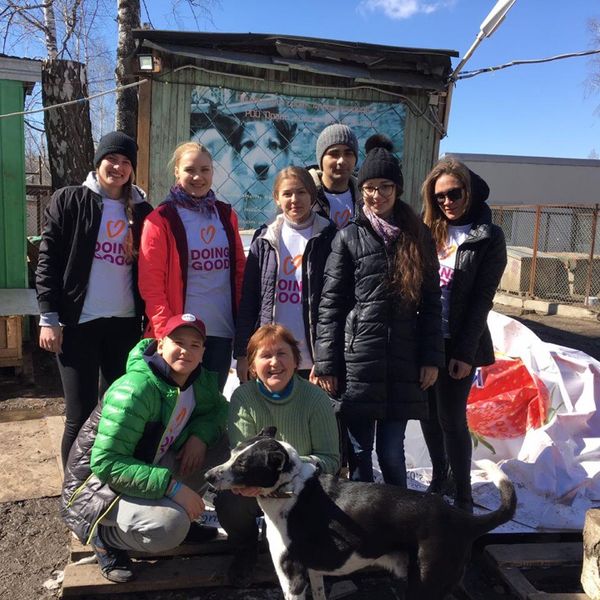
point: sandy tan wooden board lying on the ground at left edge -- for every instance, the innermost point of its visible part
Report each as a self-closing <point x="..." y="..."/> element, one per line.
<point x="28" y="467"/>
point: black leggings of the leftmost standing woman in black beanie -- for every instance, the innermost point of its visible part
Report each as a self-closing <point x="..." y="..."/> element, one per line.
<point x="93" y="355"/>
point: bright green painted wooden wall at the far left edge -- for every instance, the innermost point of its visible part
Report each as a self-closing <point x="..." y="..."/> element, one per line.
<point x="13" y="245"/>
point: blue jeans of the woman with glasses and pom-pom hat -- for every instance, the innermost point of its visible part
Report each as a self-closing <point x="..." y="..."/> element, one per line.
<point x="390" y="449"/>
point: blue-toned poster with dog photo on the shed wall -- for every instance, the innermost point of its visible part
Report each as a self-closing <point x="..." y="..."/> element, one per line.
<point x="252" y="136"/>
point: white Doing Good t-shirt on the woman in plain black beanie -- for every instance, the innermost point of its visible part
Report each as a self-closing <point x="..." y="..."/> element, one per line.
<point x="110" y="286"/>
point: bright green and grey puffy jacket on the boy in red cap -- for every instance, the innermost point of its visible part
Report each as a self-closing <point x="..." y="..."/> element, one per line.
<point x="115" y="448"/>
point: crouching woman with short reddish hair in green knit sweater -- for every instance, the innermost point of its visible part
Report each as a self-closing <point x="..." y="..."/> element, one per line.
<point x="304" y="418"/>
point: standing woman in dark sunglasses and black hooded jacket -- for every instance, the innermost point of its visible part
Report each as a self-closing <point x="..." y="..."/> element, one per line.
<point x="472" y="255"/>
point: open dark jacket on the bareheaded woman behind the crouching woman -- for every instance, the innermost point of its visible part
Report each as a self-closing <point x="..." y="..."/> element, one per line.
<point x="257" y="306"/>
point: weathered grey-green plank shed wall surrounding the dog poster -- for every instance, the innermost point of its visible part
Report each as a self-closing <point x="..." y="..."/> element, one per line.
<point x="170" y="122"/>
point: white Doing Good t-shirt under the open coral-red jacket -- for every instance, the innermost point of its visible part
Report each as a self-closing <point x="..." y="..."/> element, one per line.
<point x="208" y="280"/>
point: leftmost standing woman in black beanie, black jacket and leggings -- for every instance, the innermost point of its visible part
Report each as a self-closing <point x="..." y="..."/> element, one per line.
<point x="91" y="310"/>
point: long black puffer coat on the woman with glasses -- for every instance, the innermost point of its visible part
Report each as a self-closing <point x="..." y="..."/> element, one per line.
<point x="373" y="343"/>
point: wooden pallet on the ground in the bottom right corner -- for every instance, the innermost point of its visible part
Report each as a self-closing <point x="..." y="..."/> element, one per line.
<point x="514" y="561"/>
